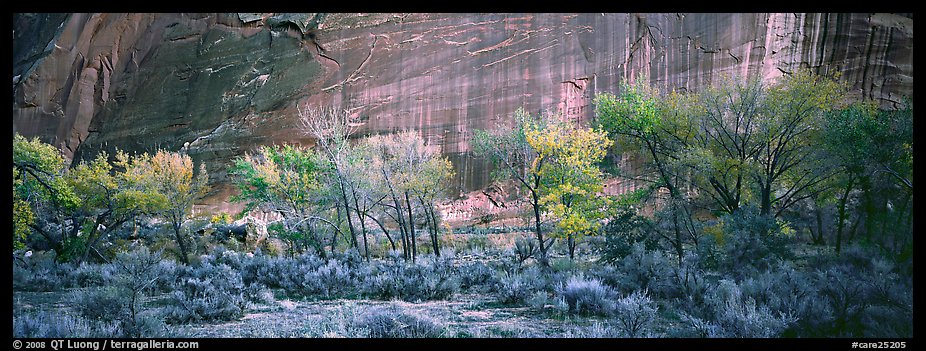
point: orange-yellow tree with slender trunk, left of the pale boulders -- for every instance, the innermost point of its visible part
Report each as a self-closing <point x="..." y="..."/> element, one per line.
<point x="172" y="175"/>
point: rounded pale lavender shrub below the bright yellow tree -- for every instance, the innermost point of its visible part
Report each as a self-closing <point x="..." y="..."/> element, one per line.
<point x="588" y="296"/>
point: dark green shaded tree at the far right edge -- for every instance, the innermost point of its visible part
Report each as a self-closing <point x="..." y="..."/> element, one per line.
<point x="871" y="151"/>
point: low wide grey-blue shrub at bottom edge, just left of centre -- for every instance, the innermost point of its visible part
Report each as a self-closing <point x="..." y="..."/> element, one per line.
<point x="393" y="323"/>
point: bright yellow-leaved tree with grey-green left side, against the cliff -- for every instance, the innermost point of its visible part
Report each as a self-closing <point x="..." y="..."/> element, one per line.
<point x="556" y="163"/>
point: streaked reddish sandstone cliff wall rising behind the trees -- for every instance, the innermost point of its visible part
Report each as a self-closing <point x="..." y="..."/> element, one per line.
<point x="218" y="87"/>
